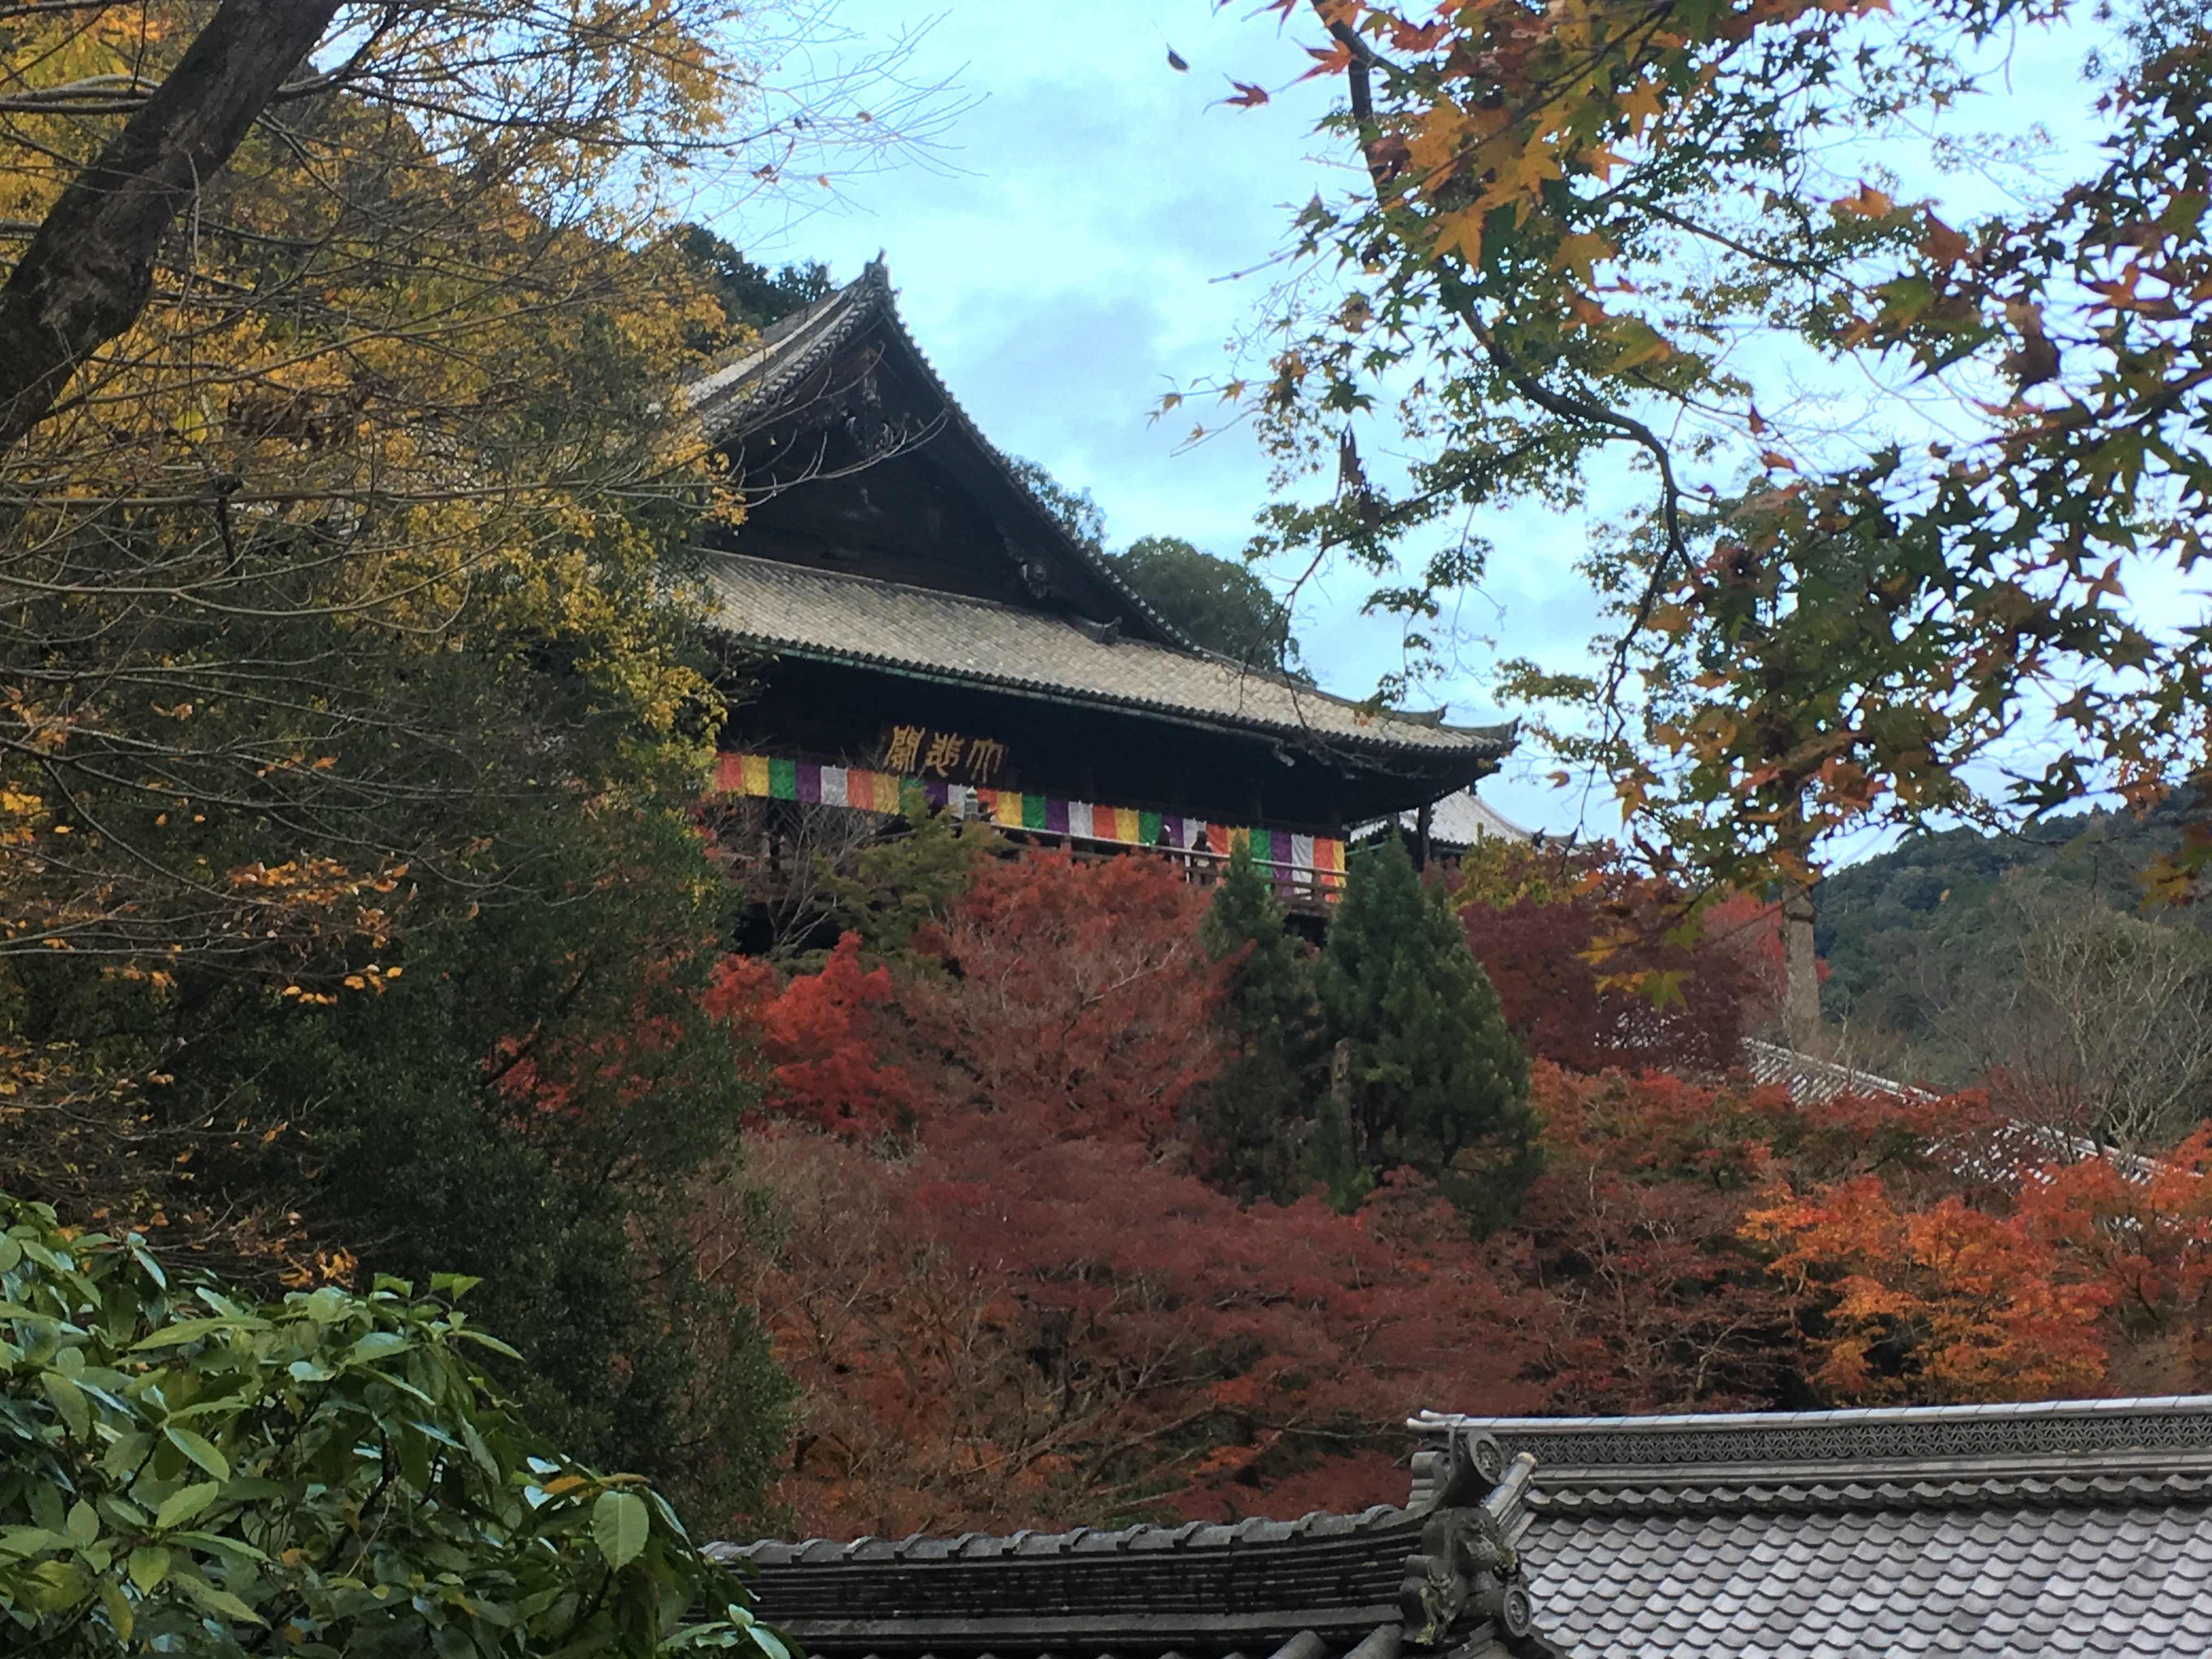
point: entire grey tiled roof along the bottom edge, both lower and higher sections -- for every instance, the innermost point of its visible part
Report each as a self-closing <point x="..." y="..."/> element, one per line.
<point x="2041" y="1532"/>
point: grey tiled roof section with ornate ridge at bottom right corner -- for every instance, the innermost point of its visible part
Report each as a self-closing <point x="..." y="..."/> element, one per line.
<point x="2025" y="1530"/>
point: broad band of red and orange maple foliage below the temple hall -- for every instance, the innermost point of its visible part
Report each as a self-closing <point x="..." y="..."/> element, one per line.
<point x="988" y="1251"/>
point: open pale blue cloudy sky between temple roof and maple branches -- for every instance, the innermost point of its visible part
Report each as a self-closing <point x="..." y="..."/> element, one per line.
<point x="1074" y="240"/>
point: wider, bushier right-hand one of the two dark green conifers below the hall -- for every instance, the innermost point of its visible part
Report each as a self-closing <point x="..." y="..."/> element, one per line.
<point x="1432" y="1078"/>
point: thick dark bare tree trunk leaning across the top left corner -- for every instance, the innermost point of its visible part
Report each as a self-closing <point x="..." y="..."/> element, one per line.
<point x="90" y="269"/>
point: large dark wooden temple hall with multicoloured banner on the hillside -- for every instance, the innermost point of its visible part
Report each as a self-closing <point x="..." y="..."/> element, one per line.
<point x="926" y="629"/>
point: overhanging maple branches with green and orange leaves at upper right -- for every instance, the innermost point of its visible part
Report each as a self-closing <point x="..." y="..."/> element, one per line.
<point x="1603" y="229"/>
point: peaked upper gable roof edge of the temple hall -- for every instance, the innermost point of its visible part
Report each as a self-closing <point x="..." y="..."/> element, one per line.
<point x="760" y="377"/>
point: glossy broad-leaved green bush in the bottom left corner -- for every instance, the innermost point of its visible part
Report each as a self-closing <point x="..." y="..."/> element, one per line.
<point x="331" y="1477"/>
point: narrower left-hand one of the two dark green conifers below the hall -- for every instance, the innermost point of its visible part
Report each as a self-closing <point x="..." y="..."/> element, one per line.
<point x="1253" y="1116"/>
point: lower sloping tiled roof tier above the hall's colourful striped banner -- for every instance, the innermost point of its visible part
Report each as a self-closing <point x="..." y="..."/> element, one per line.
<point x="859" y="620"/>
